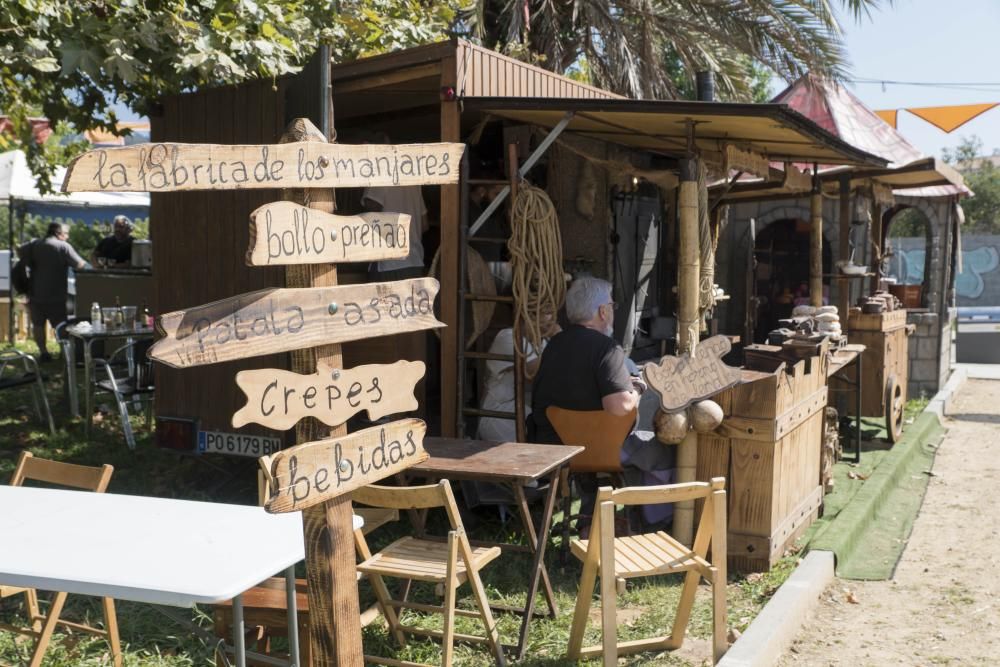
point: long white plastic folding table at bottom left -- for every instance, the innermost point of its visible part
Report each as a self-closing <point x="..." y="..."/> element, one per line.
<point x="169" y="552"/>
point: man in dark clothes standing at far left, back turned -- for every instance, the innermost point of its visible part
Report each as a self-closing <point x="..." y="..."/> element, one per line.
<point x="49" y="259"/>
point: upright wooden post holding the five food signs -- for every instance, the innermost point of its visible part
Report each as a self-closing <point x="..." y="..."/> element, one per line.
<point x="334" y="611"/>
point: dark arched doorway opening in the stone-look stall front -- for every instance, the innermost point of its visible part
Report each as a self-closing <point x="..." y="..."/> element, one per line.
<point x="781" y="273"/>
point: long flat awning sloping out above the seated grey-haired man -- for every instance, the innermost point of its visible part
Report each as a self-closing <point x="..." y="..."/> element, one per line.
<point x="771" y="130"/>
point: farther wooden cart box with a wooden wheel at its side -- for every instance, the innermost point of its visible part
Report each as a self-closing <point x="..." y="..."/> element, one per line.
<point x="886" y="354"/>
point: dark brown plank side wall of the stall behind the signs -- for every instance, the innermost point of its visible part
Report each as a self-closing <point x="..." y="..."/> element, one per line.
<point x="200" y="238"/>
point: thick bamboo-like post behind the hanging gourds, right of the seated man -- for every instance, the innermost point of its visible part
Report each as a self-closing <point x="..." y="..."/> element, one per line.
<point x="687" y="327"/>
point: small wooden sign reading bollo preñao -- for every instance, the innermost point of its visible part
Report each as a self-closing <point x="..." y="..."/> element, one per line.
<point x="288" y="233"/>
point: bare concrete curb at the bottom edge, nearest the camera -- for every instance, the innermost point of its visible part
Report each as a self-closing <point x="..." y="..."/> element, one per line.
<point x="770" y="634"/>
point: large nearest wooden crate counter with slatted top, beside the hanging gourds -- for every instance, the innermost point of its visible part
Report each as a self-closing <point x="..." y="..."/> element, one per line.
<point x="768" y="448"/>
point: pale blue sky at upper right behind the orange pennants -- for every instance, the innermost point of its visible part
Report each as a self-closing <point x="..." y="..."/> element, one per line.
<point x="951" y="41"/>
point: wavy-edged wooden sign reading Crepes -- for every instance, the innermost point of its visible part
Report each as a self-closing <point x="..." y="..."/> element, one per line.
<point x="278" y="399"/>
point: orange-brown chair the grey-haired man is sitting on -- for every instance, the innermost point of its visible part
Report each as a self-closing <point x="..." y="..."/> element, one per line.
<point x="601" y="434"/>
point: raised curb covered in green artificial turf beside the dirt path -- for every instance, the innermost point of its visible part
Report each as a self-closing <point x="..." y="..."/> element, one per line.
<point x="861" y="511"/>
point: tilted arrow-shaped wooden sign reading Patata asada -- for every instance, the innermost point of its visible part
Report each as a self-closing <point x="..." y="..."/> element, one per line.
<point x="281" y="320"/>
